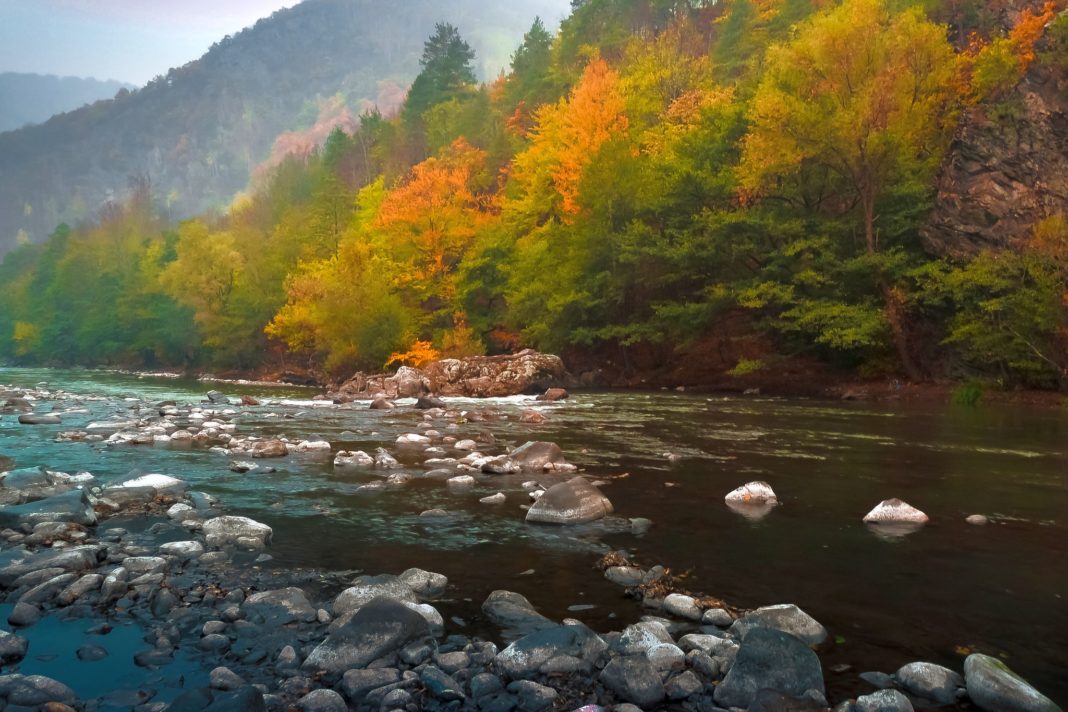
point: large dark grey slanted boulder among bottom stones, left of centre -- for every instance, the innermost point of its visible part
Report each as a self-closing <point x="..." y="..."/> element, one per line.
<point x="380" y="628"/>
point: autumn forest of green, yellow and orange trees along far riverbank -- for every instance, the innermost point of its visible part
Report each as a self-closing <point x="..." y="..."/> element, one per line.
<point x="654" y="177"/>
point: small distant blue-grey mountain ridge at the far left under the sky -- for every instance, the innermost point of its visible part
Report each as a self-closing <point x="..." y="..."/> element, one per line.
<point x="32" y="99"/>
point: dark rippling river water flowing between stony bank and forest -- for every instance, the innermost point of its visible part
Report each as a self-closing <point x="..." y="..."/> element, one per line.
<point x="934" y="595"/>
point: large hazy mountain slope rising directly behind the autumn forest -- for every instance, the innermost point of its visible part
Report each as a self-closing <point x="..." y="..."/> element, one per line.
<point x="198" y="134"/>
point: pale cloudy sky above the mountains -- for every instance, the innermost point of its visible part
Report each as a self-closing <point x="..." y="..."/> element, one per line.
<point x="132" y="41"/>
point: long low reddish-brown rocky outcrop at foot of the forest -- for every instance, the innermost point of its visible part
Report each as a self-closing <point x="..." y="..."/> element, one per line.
<point x="474" y="377"/>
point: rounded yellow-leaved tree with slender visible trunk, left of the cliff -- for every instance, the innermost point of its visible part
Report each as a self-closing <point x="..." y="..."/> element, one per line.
<point x="866" y="94"/>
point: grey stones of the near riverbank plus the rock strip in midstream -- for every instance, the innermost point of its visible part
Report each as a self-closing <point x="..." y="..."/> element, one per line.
<point x="193" y="576"/>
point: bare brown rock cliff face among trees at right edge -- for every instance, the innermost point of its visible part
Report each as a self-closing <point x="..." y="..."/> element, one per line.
<point x="1006" y="173"/>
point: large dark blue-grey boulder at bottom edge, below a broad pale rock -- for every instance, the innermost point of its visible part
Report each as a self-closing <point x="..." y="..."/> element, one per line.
<point x="769" y="659"/>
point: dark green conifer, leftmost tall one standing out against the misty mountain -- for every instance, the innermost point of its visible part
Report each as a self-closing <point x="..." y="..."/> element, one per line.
<point x="447" y="69"/>
